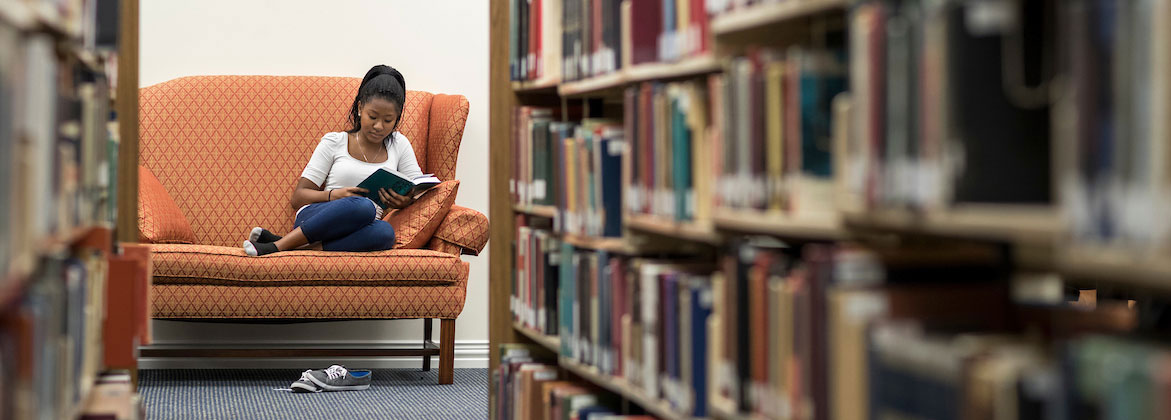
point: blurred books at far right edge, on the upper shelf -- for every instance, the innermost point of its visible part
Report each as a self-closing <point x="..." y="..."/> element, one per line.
<point x="1115" y="116"/>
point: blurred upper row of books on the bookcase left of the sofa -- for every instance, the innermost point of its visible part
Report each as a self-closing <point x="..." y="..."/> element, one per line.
<point x="57" y="146"/>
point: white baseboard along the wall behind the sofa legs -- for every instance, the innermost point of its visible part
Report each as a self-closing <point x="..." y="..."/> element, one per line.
<point x="469" y="354"/>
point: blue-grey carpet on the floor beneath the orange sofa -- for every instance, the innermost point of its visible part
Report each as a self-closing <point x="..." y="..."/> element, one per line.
<point x="250" y="395"/>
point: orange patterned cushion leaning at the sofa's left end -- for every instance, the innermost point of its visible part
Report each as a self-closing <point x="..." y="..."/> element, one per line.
<point x="160" y="219"/>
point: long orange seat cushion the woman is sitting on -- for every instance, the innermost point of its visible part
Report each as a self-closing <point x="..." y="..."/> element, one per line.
<point x="211" y="265"/>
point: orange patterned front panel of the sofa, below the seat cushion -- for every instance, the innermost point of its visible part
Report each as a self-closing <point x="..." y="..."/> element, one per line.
<point x="307" y="302"/>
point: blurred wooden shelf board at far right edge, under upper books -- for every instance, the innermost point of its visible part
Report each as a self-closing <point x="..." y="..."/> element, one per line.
<point x="1117" y="266"/>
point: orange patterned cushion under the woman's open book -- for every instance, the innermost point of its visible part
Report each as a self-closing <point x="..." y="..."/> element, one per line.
<point x="415" y="225"/>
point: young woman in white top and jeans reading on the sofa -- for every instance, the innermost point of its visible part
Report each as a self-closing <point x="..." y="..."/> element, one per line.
<point x="331" y="209"/>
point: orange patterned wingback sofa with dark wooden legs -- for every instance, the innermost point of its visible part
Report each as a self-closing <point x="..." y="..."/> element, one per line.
<point x="229" y="152"/>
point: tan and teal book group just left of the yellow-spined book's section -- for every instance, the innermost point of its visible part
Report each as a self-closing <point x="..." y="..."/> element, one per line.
<point x="670" y="163"/>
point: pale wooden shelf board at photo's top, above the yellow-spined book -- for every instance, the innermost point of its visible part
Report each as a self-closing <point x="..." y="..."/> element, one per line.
<point x="764" y="15"/>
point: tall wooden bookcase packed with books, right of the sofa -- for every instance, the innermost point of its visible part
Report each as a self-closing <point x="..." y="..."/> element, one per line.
<point x="825" y="223"/>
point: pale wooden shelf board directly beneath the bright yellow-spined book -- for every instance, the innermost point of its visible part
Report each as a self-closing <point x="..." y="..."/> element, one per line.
<point x="827" y="228"/>
